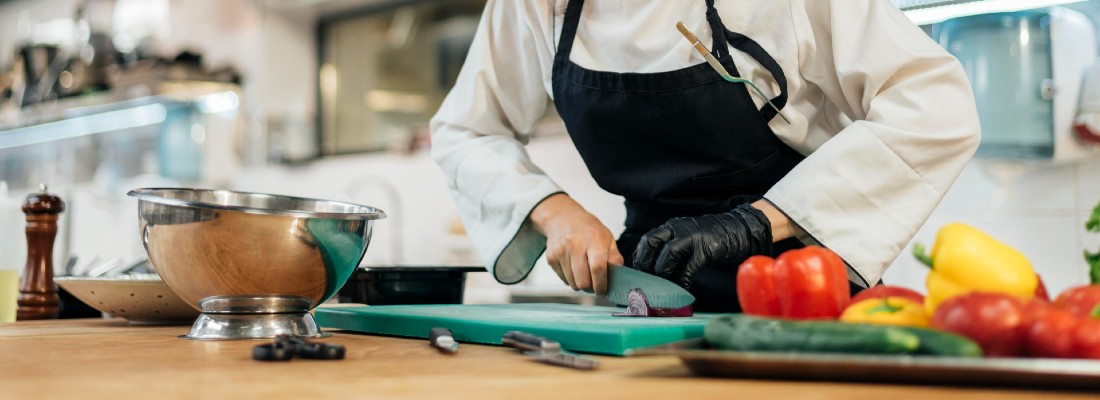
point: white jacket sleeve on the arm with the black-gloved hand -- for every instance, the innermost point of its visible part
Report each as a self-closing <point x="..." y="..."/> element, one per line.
<point x="912" y="126"/>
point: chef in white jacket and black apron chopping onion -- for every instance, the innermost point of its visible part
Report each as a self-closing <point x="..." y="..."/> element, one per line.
<point x="861" y="126"/>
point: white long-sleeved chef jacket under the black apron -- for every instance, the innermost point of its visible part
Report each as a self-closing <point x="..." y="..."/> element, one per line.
<point x="885" y="116"/>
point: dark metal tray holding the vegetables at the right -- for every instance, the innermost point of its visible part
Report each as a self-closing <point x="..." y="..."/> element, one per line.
<point x="1025" y="373"/>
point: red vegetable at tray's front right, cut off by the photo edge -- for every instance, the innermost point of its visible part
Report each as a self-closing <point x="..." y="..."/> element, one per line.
<point x="1061" y="335"/>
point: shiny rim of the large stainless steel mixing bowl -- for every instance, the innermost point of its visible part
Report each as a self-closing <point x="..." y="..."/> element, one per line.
<point x="150" y="195"/>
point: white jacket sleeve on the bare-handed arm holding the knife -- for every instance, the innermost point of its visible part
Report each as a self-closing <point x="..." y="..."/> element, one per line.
<point x="479" y="136"/>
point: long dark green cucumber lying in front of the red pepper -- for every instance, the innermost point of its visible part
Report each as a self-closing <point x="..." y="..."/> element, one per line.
<point x="740" y="332"/>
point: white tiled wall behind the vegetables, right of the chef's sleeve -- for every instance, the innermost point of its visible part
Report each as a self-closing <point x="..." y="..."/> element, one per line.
<point x="1037" y="208"/>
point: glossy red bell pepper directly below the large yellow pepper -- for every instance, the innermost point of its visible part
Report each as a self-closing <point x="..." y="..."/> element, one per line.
<point x="998" y="323"/>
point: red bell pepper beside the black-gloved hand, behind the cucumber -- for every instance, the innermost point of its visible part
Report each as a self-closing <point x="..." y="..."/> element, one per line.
<point x="810" y="283"/>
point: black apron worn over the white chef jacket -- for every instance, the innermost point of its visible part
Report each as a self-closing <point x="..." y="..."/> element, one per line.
<point x="681" y="143"/>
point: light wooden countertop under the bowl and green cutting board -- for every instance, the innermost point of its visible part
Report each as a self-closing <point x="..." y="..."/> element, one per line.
<point x="113" y="360"/>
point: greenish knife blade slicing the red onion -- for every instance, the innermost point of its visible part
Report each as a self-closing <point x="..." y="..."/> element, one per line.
<point x="659" y="292"/>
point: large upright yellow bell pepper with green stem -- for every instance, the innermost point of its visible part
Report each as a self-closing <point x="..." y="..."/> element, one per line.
<point x="966" y="260"/>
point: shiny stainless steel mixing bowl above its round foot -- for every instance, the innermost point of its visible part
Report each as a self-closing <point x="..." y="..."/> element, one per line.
<point x="223" y="243"/>
